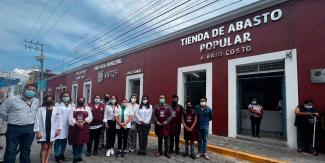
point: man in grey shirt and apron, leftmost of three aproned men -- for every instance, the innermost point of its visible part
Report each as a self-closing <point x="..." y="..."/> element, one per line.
<point x="162" y="115"/>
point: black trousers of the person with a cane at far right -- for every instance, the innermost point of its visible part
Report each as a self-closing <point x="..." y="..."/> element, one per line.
<point x="305" y="138"/>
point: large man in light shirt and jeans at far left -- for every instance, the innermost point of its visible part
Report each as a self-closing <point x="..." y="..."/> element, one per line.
<point x="20" y="112"/>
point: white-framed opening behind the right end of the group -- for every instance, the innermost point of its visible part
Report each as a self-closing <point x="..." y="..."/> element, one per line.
<point x="182" y="79"/>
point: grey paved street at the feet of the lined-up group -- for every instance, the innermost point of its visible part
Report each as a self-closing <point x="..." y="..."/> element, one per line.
<point x="132" y="157"/>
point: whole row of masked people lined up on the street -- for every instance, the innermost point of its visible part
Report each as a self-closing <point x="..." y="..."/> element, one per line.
<point x="57" y="124"/>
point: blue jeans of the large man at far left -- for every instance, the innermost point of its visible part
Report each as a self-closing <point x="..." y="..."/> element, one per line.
<point x="22" y="136"/>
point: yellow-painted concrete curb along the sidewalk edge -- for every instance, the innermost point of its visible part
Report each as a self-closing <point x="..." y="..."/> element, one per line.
<point x="234" y="153"/>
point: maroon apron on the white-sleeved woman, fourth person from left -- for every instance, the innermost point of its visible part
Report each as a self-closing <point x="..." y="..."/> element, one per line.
<point x="79" y="135"/>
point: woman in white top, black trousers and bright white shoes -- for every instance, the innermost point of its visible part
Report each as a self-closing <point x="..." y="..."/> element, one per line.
<point x="110" y="124"/>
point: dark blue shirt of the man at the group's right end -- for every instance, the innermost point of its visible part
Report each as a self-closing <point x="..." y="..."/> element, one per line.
<point x="204" y="116"/>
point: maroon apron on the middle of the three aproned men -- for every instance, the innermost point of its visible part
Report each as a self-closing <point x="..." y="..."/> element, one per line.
<point x="176" y="122"/>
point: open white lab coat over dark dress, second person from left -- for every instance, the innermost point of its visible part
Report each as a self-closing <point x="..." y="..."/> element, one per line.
<point x="56" y="122"/>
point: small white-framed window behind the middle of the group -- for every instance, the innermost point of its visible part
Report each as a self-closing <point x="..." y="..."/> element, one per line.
<point x="134" y="85"/>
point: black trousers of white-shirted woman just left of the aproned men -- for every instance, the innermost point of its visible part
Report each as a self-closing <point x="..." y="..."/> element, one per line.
<point x="143" y="132"/>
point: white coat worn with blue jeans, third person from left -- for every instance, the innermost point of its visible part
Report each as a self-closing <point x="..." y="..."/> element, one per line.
<point x="65" y="111"/>
